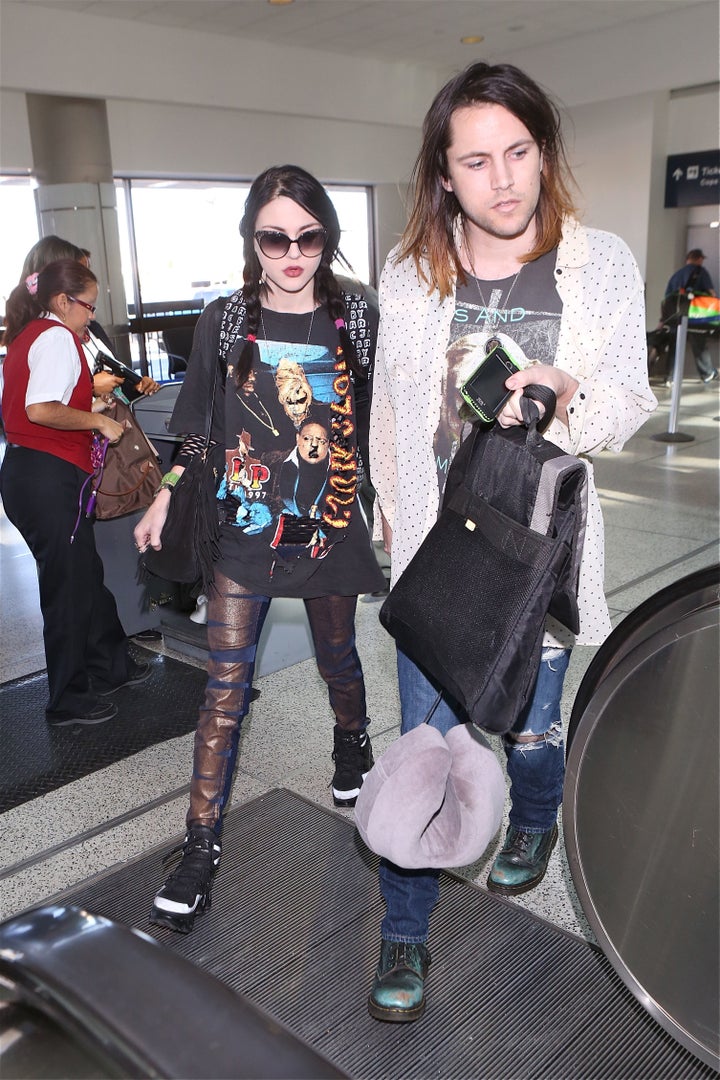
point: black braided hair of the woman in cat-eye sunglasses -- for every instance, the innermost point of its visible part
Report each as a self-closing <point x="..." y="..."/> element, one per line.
<point x="303" y="188"/>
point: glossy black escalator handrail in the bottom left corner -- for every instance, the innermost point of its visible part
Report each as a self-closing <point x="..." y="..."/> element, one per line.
<point x="141" y="1006"/>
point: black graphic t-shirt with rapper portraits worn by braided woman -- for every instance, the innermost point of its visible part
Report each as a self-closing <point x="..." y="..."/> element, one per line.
<point x="289" y="507"/>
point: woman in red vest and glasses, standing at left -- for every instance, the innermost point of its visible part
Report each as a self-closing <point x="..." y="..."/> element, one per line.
<point x="50" y="428"/>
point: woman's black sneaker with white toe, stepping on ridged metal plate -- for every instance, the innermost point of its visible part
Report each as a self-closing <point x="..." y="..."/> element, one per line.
<point x="187" y="892"/>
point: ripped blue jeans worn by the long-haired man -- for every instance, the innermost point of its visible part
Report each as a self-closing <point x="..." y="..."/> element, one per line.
<point x="536" y="767"/>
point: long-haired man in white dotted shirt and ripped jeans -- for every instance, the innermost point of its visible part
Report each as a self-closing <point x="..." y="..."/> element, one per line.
<point x="493" y="249"/>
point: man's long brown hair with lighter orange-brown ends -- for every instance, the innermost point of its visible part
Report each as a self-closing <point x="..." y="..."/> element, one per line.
<point x="429" y="238"/>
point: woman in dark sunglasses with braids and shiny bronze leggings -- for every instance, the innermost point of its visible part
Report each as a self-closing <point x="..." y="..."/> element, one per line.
<point x="290" y="323"/>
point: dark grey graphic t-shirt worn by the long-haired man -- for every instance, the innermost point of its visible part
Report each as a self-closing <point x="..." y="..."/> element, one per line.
<point x="521" y="313"/>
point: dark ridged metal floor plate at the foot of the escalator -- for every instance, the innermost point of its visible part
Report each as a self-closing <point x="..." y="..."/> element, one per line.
<point x="295" y="926"/>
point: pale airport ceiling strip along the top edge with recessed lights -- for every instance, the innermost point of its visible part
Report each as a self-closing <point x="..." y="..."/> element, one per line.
<point x="418" y="32"/>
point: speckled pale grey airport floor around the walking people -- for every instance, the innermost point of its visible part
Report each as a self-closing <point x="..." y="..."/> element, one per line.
<point x="661" y="506"/>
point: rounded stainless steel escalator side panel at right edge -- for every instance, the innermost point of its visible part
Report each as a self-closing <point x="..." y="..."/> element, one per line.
<point x="642" y="808"/>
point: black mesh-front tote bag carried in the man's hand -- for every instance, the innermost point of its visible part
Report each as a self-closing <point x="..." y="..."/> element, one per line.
<point x="471" y="606"/>
